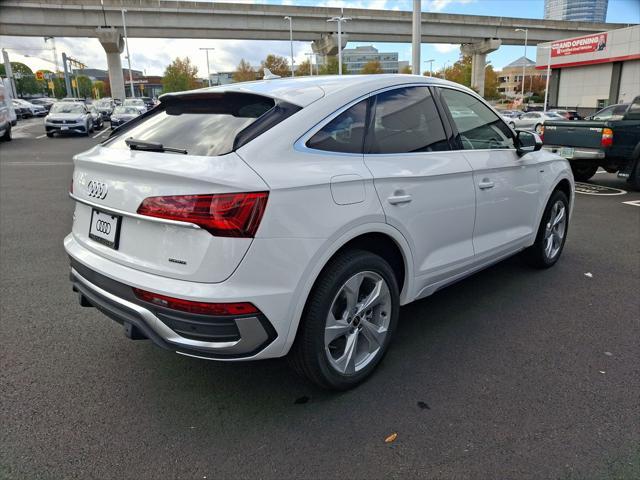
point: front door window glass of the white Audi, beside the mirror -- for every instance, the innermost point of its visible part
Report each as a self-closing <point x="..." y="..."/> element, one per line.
<point x="478" y="127"/>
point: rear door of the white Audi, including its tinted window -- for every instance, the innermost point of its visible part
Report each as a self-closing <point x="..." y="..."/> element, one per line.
<point x="426" y="190"/>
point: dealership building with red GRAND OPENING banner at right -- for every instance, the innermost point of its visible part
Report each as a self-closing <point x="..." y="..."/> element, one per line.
<point x="593" y="71"/>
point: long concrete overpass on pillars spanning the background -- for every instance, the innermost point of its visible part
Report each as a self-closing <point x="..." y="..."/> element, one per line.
<point x="183" y="19"/>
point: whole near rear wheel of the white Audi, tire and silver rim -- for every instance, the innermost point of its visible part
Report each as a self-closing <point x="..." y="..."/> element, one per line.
<point x="348" y="321"/>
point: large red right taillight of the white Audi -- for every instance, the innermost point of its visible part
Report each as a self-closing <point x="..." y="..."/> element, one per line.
<point x="222" y="215"/>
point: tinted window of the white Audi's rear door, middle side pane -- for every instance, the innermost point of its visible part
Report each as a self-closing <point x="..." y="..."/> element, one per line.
<point x="406" y="120"/>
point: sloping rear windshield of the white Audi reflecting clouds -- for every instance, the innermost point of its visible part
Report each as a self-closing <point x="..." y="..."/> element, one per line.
<point x="205" y="125"/>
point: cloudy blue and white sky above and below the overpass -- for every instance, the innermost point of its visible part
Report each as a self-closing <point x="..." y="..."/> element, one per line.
<point x="153" y="55"/>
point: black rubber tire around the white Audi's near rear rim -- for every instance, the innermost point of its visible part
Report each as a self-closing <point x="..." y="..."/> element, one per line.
<point x="308" y="356"/>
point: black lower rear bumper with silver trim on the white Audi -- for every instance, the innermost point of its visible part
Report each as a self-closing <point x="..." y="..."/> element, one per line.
<point x="189" y="334"/>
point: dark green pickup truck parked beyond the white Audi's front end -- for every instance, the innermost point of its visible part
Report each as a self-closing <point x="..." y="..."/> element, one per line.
<point x="609" y="139"/>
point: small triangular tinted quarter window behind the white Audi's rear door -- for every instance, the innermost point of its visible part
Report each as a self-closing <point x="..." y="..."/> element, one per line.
<point x="345" y="133"/>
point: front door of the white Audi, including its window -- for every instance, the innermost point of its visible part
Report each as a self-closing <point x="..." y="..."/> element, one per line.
<point x="507" y="186"/>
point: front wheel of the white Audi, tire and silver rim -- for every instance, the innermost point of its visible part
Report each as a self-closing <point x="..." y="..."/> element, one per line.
<point x="552" y="233"/>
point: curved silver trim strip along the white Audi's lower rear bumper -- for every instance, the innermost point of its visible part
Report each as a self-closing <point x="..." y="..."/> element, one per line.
<point x="252" y="334"/>
